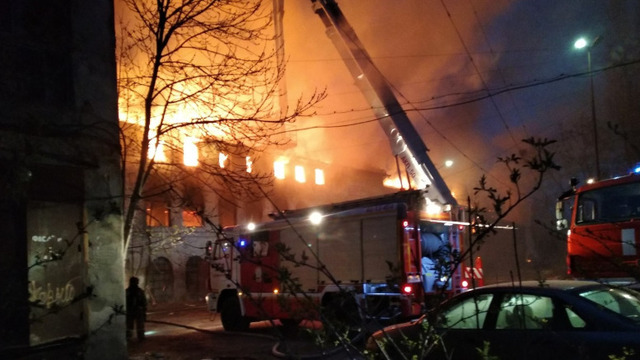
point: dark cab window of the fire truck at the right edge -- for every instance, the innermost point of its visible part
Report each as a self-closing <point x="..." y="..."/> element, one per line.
<point x="613" y="204"/>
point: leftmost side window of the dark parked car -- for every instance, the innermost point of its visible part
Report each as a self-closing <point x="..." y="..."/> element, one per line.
<point x="468" y="314"/>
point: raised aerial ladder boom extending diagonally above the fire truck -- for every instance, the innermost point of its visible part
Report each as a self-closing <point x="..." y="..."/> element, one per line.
<point x="406" y="143"/>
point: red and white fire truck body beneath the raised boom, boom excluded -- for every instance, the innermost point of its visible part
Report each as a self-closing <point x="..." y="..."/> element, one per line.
<point x="388" y="253"/>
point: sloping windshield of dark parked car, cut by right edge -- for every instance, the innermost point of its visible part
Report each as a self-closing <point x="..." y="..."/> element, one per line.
<point x="625" y="302"/>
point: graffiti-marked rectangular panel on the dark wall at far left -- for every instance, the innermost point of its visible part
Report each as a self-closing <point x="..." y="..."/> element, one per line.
<point x="56" y="271"/>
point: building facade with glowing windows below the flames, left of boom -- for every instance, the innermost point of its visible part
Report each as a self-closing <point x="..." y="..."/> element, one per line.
<point x="176" y="220"/>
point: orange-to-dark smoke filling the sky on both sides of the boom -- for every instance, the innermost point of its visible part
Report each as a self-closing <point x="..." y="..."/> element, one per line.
<point x="445" y="60"/>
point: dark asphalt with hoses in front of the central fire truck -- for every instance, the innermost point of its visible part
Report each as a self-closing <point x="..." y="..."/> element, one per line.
<point x="192" y="333"/>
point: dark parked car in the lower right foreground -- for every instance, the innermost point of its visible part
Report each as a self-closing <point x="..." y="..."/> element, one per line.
<point x="547" y="320"/>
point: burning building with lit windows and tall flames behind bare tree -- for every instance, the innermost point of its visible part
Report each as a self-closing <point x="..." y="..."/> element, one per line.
<point x="205" y="147"/>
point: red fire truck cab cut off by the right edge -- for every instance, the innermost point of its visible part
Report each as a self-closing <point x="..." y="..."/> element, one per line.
<point x="602" y="220"/>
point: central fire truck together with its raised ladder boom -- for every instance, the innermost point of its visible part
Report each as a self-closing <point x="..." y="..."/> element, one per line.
<point x="392" y="255"/>
